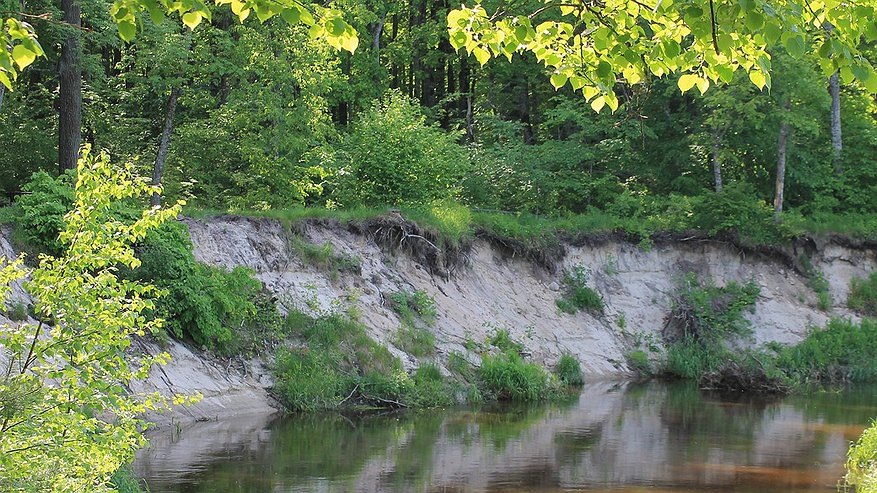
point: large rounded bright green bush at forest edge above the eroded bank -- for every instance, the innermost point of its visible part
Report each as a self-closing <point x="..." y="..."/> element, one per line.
<point x="393" y="157"/>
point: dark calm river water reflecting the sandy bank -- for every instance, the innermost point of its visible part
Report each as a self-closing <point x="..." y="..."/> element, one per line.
<point x="614" y="437"/>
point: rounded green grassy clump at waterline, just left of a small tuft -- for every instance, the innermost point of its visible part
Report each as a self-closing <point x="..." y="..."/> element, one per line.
<point x="507" y="377"/>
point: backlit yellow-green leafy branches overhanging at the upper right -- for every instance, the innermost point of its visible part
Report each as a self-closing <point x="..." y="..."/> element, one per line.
<point x="596" y="45"/>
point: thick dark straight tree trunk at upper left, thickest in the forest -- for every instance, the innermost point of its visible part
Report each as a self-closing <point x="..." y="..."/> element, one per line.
<point x="70" y="90"/>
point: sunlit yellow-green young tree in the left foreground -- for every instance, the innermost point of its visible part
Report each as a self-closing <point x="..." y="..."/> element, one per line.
<point x="68" y="420"/>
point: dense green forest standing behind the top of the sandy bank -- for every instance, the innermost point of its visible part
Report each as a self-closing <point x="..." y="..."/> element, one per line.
<point x="245" y="116"/>
